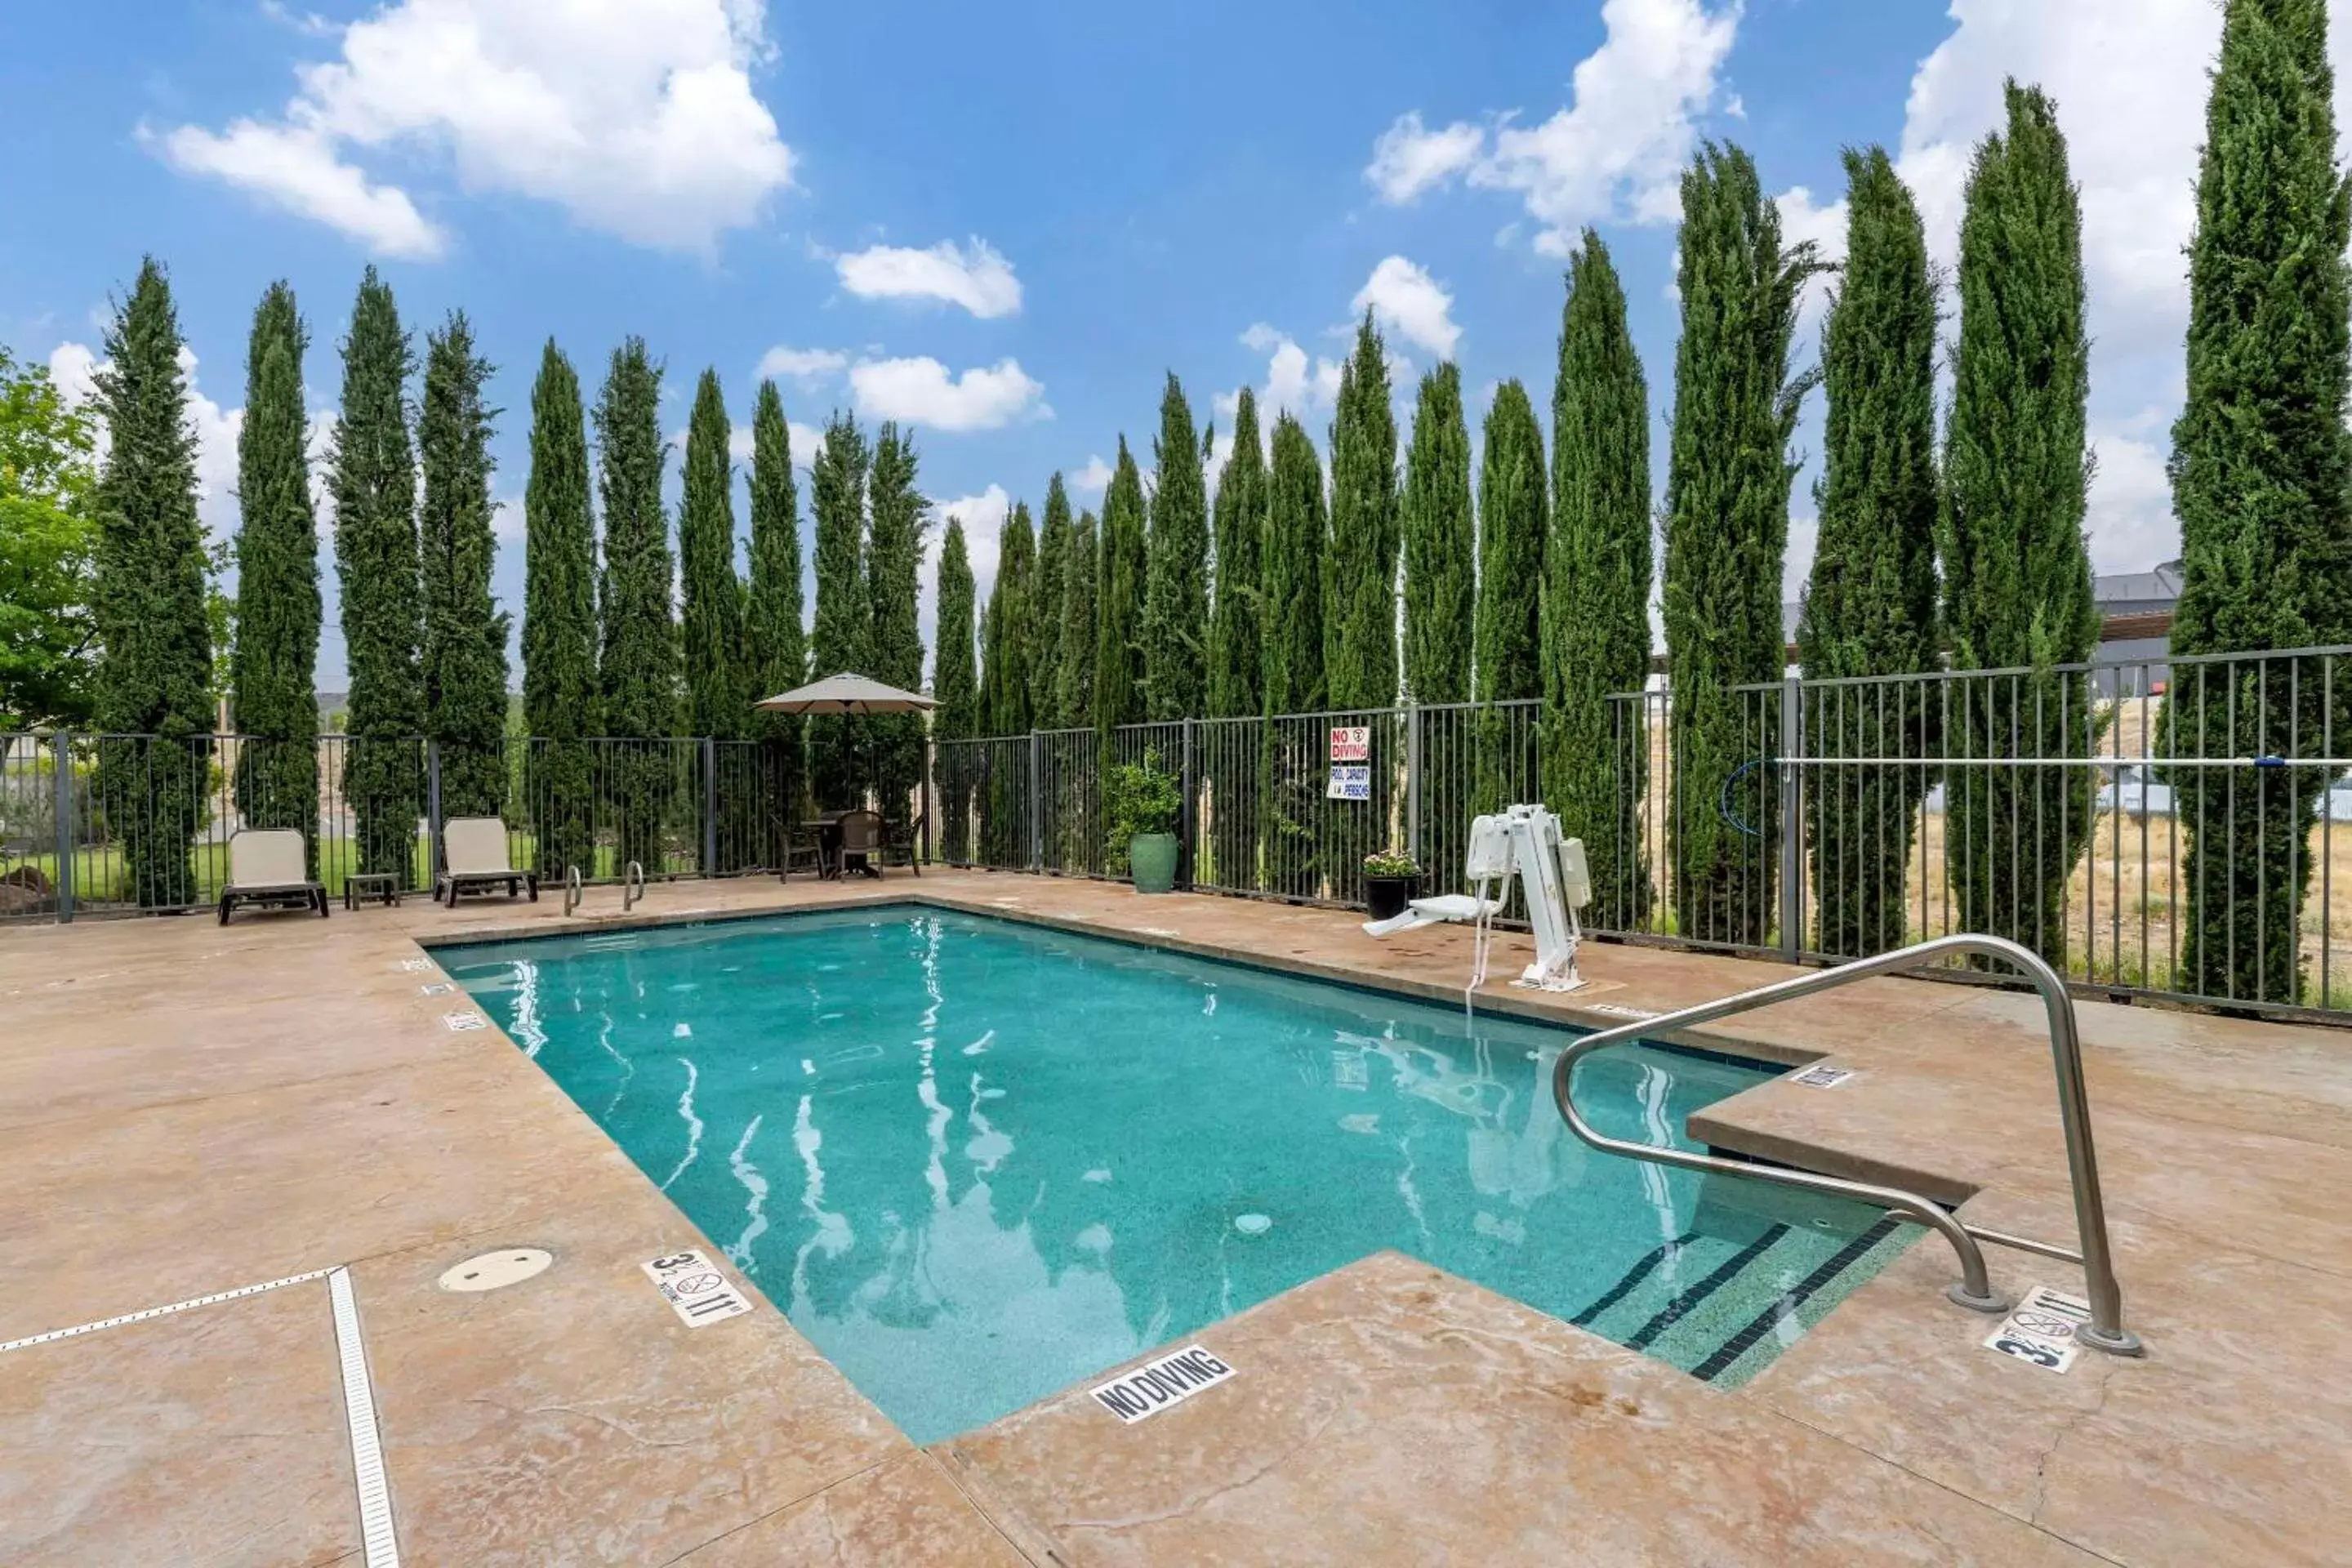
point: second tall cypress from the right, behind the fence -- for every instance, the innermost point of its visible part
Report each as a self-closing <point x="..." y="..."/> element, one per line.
<point x="2017" y="572"/>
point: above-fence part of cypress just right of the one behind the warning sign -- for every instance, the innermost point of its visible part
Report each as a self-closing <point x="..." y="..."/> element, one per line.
<point x="1441" y="544"/>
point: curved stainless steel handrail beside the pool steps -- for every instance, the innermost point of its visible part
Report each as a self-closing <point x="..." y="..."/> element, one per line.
<point x="1972" y="1289"/>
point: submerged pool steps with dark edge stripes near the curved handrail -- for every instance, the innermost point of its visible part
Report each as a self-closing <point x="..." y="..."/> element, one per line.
<point x="1723" y="1308"/>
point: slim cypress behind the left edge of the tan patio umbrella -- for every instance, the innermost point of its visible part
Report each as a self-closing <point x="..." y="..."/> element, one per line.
<point x="775" y="641"/>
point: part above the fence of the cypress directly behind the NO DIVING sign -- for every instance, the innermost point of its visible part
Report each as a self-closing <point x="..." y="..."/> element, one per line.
<point x="1361" y="570"/>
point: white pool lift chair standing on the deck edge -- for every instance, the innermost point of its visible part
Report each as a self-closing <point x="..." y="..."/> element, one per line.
<point x="1521" y="843"/>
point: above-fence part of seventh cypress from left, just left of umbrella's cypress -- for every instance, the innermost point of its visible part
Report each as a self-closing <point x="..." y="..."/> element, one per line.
<point x="711" y="622"/>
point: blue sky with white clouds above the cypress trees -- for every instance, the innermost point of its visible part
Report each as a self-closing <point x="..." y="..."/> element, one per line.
<point x="1003" y="225"/>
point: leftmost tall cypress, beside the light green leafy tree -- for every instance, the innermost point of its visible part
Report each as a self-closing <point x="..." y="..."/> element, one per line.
<point x="149" y="601"/>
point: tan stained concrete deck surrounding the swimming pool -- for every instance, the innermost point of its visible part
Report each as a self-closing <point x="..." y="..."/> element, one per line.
<point x="189" y="1111"/>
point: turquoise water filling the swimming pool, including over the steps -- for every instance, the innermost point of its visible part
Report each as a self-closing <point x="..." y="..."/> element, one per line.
<point x="977" y="1162"/>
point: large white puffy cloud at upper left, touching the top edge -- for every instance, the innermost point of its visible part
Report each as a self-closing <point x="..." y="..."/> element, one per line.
<point x="636" y="119"/>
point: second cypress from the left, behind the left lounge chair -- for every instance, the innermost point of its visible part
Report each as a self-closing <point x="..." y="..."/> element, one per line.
<point x="276" y="652"/>
